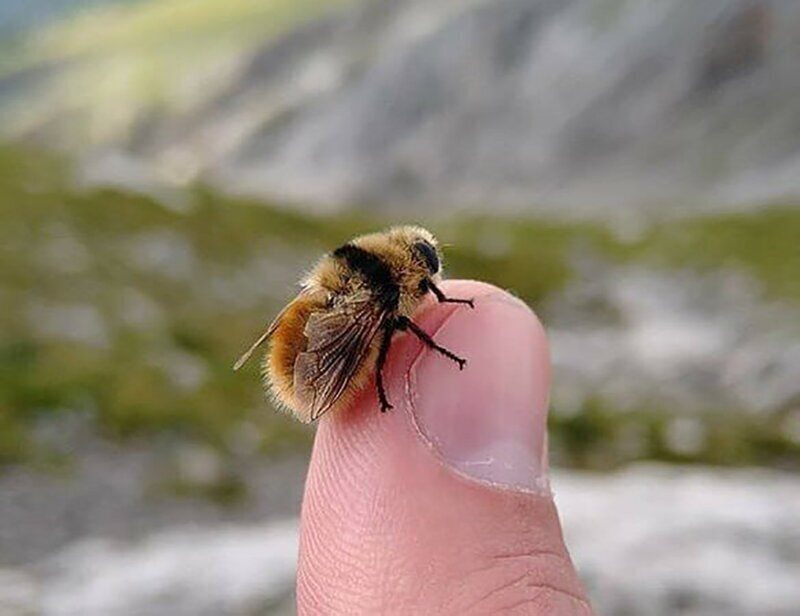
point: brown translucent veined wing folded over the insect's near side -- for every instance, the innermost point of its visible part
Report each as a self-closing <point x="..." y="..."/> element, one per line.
<point x="339" y="341"/>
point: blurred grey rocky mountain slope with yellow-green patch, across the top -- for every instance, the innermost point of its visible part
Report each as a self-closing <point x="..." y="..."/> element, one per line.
<point x="575" y="106"/>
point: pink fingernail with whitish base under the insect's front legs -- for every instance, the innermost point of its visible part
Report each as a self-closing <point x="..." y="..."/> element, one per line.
<point x="488" y="421"/>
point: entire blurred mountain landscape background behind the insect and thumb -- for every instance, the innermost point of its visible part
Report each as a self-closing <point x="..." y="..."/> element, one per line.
<point x="631" y="168"/>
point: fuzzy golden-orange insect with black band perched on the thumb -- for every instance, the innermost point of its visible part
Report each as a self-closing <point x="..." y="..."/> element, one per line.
<point x="326" y="343"/>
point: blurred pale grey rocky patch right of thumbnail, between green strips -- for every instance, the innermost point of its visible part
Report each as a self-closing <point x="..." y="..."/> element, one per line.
<point x="638" y="337"/>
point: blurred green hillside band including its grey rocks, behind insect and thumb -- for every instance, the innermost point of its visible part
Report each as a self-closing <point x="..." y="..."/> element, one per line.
<point x="127" y="312"/>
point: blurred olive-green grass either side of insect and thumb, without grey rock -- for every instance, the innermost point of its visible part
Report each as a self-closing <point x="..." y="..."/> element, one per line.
<point x="130" y="310"/>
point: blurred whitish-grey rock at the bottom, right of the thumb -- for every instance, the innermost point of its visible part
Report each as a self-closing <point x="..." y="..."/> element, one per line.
<point x="658" y="541"/>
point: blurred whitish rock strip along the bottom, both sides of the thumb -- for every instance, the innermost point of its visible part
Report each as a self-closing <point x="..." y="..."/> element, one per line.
<point x="651" y="541"/>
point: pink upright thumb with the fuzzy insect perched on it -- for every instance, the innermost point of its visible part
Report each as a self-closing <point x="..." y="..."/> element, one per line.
<point x="441" y="506"/>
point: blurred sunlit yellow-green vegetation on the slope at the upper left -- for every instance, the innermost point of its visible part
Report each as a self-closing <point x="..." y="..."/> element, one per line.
<point x="132" y="59"/>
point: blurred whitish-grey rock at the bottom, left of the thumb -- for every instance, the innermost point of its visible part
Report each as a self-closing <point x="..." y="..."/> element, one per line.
<point x="182" y="571"/>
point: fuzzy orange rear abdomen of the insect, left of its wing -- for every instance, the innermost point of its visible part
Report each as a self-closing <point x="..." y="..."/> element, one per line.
<point x="286" y="344"/>
